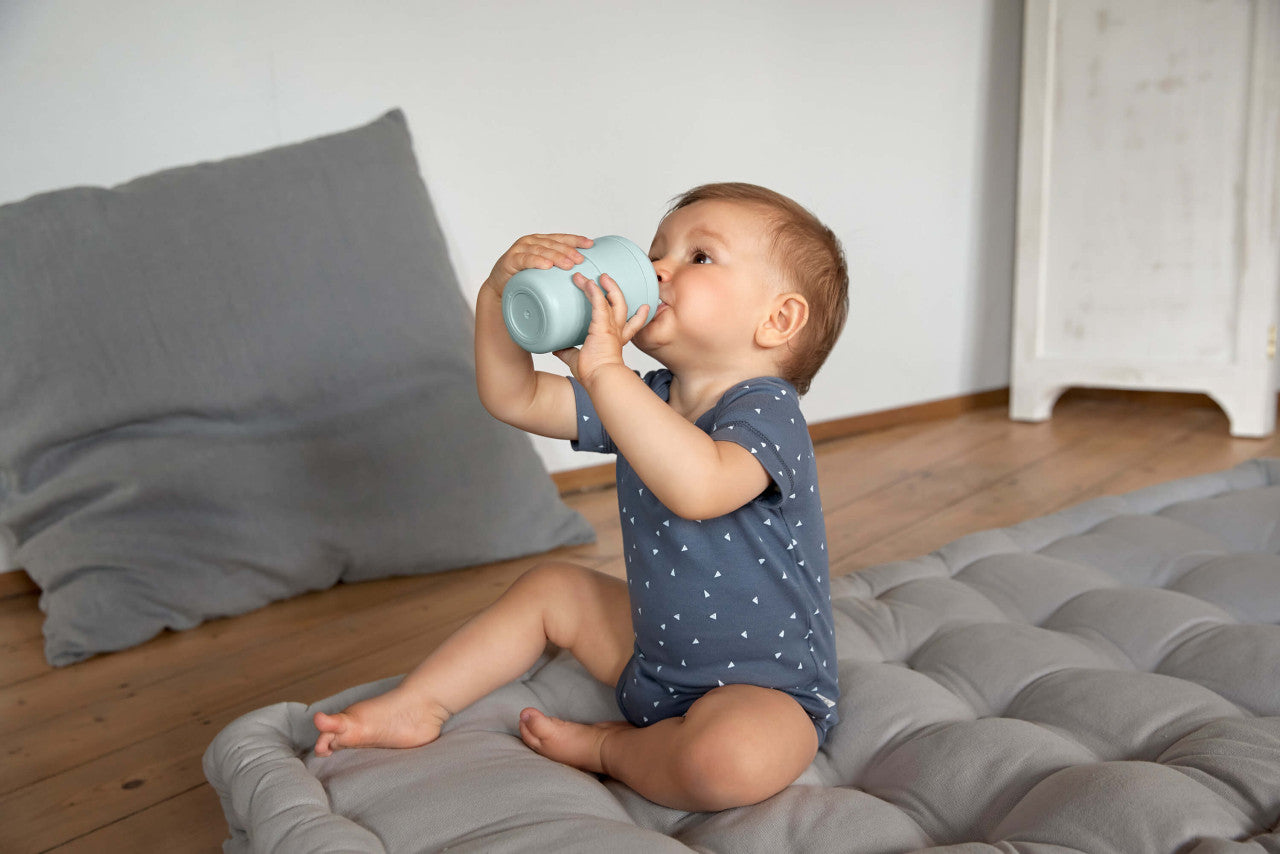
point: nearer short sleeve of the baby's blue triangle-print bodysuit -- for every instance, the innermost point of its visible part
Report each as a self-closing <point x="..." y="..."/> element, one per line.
<point x="764" y="417"/>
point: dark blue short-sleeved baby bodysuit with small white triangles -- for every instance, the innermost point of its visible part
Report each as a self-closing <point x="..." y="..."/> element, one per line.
<point x="742" y="599"/>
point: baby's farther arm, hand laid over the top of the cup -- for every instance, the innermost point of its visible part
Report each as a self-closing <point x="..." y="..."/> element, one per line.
<point x="509" y="386"/>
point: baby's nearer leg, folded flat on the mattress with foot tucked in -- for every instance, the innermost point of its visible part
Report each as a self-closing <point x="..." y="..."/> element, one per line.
<point x="737" y="746"/>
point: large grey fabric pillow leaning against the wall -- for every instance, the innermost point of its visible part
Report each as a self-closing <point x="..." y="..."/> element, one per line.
<point x="235" y="382"/>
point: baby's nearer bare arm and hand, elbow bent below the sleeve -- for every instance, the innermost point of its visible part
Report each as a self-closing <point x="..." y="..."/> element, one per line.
<point x="691" y="473"/>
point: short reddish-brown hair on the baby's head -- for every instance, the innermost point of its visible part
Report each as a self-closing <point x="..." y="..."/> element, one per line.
<point x="810" y="255"/>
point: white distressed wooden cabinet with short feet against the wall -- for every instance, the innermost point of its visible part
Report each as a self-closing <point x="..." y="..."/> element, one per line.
<point x="1149" y="223"/>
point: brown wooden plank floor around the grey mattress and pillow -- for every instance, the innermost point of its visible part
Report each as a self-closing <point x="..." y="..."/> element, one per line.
<point x="106" y="755"/>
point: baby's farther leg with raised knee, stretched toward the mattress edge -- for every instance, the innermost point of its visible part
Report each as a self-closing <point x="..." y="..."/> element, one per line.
<point x="577" y="609"/>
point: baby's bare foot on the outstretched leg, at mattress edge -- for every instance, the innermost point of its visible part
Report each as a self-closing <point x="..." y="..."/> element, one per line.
<point x="391" y="720"/>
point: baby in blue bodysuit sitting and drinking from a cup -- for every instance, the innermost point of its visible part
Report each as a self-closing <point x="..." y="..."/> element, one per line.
<point x="720" y="643"/>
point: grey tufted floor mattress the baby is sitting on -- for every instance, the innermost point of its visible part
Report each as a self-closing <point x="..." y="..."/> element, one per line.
<point x="1103" y="681"/>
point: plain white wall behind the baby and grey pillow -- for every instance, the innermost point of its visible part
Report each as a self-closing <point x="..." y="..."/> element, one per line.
<point x="895" y="122"/>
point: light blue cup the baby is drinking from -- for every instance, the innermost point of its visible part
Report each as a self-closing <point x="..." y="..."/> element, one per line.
<point x="546" y="312"/>
